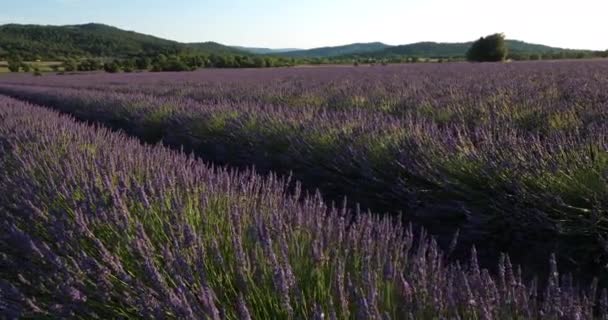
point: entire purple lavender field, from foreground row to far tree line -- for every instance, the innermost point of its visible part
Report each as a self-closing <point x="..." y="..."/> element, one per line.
<point x="511" y="157"/>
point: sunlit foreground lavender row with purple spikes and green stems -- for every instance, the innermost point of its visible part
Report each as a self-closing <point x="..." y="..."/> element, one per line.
<point x="98" y="226"/>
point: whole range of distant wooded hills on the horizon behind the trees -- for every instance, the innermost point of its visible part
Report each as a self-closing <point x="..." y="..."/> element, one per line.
<point x="99" y="40"/>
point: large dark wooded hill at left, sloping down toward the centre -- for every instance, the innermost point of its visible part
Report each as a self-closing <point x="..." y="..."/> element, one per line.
<point x="91" y="40"/>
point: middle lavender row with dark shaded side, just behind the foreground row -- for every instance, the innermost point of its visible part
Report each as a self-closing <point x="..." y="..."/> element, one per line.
<point x="502" y="188"/>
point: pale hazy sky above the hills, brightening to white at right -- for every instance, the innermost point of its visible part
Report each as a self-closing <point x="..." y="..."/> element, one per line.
<point x="313" y="23"/>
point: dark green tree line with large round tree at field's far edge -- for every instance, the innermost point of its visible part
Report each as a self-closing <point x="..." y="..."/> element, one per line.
<point x="485" y="49"/>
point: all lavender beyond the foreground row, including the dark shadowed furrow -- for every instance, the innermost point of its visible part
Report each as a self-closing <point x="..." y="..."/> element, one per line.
<point x="512" y="155"/>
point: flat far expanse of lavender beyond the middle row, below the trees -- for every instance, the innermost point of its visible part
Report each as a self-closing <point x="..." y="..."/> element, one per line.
<point x="537" y="96"/>
